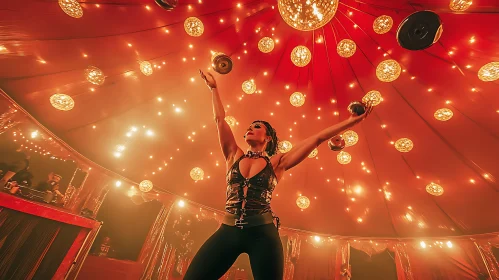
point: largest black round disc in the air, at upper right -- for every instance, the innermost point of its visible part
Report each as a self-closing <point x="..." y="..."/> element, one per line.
<point x="419" y="31"/>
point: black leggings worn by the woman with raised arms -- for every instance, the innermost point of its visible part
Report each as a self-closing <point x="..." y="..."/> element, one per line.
<point x="220" y="251"/>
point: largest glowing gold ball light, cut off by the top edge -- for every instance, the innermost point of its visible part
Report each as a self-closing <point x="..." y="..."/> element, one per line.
<point x="306" y="15"/>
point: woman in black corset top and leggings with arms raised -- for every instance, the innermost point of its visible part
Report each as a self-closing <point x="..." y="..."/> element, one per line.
<point x="251" y="177"/>
